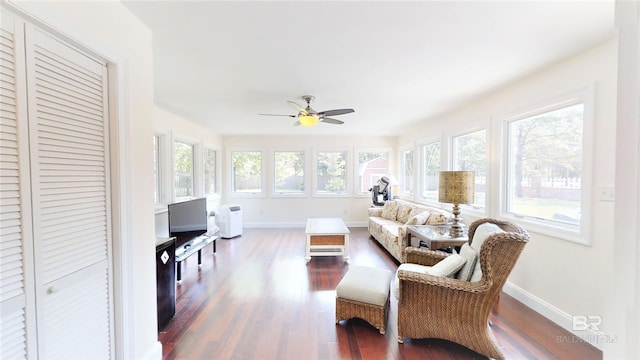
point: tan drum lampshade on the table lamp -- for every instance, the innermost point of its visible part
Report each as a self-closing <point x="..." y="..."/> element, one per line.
<point x="457" y="187"/>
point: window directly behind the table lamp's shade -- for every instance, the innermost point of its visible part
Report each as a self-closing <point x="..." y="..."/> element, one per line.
<point x="469" y="154"/>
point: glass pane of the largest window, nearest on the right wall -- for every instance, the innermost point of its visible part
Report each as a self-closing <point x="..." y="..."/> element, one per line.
<point x="545" y="165"/>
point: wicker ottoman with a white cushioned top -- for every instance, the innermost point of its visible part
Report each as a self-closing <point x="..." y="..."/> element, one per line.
<point x="363" y="293"/>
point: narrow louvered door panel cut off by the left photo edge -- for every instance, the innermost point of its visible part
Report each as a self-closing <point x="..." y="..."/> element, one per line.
<point x="15" y="221"/>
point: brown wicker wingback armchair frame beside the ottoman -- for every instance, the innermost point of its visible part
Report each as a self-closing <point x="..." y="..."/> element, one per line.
<point x="458" y="310"/>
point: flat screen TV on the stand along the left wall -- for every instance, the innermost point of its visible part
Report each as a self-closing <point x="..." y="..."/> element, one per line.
<point x="187" y="219"/>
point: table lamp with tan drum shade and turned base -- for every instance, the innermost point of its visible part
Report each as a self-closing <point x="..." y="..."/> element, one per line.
<point x="457" y="187"/>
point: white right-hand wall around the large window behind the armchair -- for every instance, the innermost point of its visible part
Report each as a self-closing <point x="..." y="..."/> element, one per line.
<point x="554" y="276"/>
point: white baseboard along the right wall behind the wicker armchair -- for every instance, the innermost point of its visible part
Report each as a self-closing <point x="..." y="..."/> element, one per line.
<point x="594" y="337"/>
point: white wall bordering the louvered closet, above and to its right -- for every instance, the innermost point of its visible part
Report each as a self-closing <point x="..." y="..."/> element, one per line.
<point x="109" y="30"/>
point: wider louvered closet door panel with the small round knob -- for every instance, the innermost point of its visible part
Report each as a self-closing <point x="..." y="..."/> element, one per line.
<point x="68" y="131"/>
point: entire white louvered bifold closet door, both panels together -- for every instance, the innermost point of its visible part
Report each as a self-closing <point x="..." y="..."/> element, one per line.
<point x="55" y="247"/>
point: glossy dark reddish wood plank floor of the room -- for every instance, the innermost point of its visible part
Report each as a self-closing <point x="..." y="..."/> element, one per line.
<point x="258" y="299"/>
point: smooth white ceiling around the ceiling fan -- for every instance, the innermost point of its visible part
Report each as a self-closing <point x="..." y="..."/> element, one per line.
<point x="222" y="63"/>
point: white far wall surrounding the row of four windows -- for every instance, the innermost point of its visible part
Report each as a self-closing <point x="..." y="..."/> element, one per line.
<point x="279" y="211"/>
